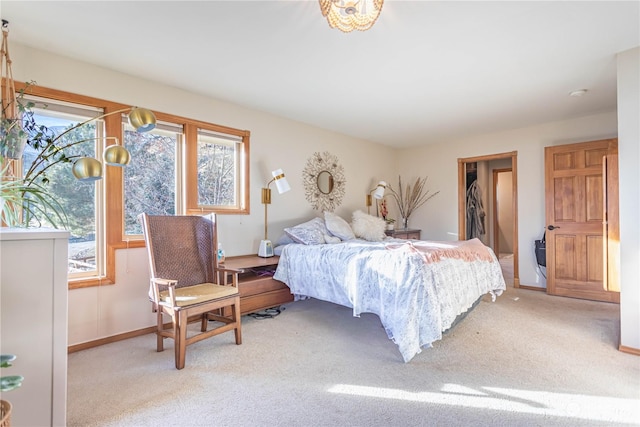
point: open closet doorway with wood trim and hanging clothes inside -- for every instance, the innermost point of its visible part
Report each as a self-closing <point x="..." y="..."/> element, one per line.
<point x="481" y="184"/>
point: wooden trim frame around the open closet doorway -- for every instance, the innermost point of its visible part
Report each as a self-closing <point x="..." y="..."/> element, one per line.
<point x="462" y="203"/>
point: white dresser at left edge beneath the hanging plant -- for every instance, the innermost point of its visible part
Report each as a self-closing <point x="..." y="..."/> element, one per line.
<point x="33" y="322"/>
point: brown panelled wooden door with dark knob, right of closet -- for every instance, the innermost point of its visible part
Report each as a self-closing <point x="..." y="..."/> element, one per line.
<point x="575" y="215"/>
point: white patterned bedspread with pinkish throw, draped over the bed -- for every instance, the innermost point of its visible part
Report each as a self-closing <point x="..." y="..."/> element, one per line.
<point x="417" y="288"/>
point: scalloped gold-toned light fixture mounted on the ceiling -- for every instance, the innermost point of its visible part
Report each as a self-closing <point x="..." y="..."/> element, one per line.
<point x="349" y="15"/>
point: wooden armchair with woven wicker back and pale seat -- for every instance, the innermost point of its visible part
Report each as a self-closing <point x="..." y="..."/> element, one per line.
<point x="186" y="281"/>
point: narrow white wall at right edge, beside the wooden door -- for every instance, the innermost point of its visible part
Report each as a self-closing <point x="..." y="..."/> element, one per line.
<point x="629" y="162"/>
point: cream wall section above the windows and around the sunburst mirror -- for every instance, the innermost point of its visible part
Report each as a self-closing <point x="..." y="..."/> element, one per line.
<point x="275" y="142"/>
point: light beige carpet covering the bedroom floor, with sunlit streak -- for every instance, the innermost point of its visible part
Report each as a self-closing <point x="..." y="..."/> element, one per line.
<point x="528" y="359"/>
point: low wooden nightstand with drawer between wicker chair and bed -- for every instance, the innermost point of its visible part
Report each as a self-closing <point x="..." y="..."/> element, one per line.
<point x="258" y="290"/>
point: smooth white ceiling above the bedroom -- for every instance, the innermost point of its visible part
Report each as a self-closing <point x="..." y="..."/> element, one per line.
<point x="427" y="71"/>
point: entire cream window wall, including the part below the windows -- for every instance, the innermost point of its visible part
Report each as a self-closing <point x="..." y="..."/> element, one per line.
<point x="103" y="311"/>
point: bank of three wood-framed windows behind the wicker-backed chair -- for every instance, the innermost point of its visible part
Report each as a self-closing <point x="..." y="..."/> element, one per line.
<point x="182" y="166"/>
